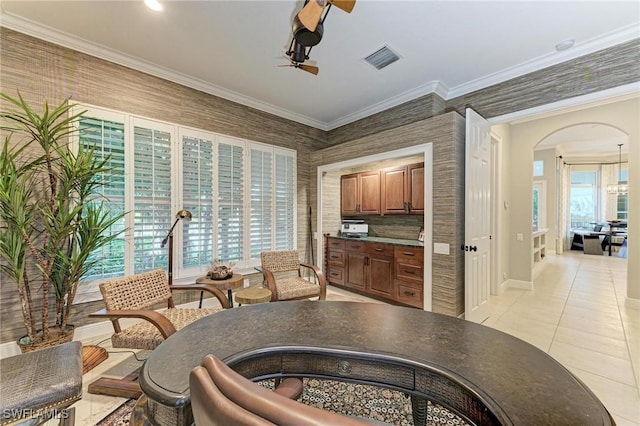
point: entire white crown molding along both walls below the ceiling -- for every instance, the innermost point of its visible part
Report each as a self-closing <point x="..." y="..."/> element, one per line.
<point x="36" y="30"/>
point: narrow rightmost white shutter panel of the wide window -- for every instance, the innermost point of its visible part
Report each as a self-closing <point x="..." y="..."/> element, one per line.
<point x="285" y="201"/>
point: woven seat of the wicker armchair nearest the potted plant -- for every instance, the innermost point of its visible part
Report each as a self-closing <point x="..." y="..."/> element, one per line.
<point x="144" y="335"/>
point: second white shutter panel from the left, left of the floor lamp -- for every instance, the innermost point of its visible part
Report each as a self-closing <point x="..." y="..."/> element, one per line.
<point x="152" y="194"/>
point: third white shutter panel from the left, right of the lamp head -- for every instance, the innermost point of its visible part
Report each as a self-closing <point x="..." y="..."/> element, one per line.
<point x="197" y="197"/>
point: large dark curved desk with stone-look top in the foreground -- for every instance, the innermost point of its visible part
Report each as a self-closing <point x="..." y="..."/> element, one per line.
<point x="481" y="374"/>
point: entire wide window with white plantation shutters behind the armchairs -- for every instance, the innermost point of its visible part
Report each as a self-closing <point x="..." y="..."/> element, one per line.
<point x="241" y="195"/>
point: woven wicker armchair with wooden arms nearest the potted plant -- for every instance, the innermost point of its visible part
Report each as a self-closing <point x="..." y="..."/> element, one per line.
<point x="134" y="297"/>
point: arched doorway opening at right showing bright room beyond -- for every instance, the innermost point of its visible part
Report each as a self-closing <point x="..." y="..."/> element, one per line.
<point x="573" y="168"/>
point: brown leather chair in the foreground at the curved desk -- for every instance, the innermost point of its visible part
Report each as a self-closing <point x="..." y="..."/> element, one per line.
<point x="220" y="396"/>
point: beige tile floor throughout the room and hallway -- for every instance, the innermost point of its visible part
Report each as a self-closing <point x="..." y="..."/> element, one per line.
<point x="575" y="313"/>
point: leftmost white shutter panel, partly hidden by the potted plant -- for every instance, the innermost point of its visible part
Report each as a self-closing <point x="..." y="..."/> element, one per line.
<point x="107" y="139"/>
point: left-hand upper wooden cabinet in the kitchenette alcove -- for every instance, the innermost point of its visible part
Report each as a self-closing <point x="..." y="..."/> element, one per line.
<point x="360" y="194"/>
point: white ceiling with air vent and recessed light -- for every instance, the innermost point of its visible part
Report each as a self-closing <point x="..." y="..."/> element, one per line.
<point x="233" y="48"/>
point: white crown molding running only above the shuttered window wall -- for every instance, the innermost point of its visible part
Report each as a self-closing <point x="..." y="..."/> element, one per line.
<point x="28" y="27"/>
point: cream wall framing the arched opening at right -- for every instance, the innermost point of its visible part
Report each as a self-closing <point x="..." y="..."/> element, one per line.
<point x="525" y="136"/>
